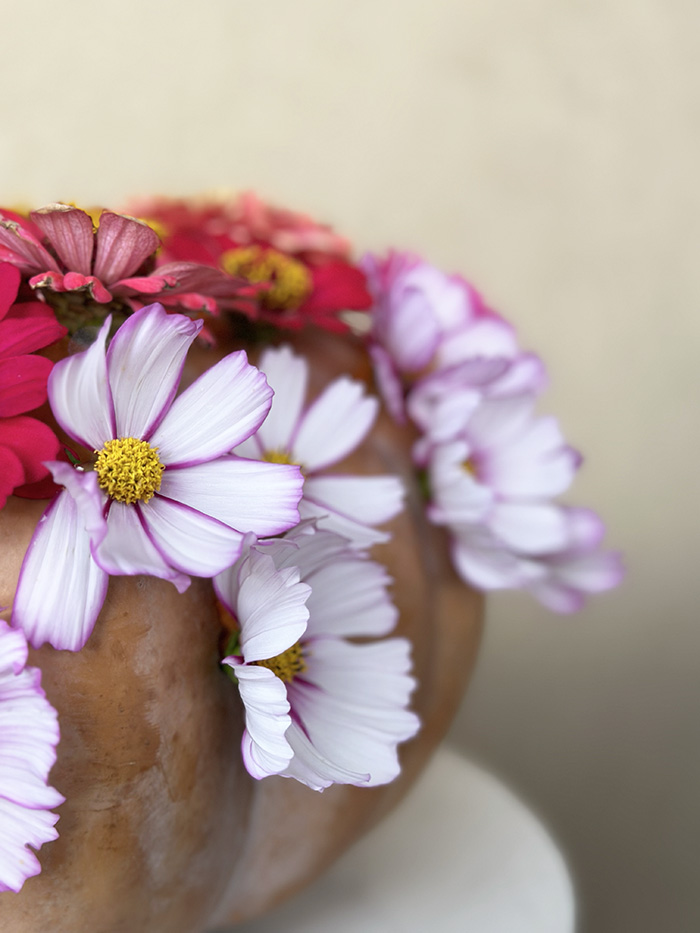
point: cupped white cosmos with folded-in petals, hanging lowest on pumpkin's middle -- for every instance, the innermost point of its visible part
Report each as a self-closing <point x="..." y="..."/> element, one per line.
<point x="319" y="708"/>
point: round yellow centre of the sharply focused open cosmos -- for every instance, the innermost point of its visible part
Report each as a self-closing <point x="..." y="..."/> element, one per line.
<point x="129" y="470"/>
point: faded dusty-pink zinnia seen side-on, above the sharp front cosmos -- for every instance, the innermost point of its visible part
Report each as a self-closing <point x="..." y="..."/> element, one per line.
<point x="60" y="251"/>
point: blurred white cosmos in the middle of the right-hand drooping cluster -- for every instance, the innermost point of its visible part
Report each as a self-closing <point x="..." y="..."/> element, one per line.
<point x="492" y="486"/>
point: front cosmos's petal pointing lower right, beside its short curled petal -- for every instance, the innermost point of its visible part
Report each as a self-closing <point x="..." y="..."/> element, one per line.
<point x="191" y="542"/>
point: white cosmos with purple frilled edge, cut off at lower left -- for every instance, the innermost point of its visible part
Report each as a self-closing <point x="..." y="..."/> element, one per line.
<point x="28" y="738"/>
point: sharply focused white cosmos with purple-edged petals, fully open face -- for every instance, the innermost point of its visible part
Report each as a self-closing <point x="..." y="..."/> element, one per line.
<point x="164" y="498"/>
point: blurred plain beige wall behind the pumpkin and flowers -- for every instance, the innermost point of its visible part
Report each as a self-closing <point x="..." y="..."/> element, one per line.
<point x="549" y="152"/>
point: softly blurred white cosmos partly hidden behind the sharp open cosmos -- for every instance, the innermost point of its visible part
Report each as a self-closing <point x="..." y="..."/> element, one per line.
<point x="318" y="437"/>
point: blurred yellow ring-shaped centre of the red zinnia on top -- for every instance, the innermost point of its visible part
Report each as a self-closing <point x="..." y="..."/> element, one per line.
<point x="289" y="279"/>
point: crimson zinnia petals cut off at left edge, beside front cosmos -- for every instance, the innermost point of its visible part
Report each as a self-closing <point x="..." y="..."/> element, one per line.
<point x="24" y="442"/>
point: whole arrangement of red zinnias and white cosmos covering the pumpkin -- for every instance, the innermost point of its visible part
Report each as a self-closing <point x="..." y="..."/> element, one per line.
<point x="235" y="474"/>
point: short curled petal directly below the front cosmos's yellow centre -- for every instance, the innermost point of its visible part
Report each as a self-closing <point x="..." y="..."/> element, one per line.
<point x="128" y="550"/>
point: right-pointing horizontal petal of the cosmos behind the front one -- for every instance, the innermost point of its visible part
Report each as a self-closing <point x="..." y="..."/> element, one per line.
<point x="369" y="500"/>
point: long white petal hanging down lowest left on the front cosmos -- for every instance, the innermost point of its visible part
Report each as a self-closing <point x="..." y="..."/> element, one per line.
<point x="61" y="589"/>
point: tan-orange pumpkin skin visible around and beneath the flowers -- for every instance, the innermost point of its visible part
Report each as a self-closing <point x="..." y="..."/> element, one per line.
<point x="162" y="828"/>
